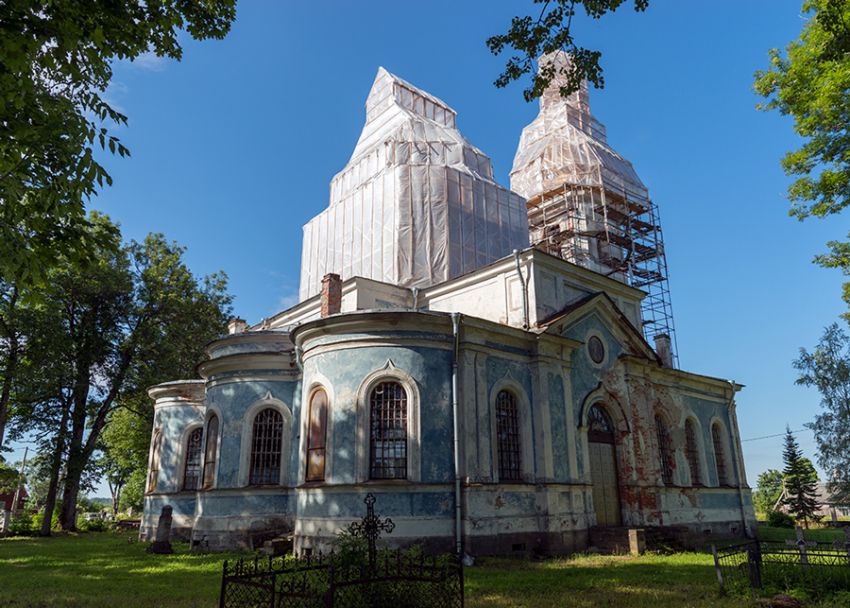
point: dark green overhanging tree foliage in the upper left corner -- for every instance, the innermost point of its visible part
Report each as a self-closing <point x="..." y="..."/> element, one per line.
<point x="56" y="61"/>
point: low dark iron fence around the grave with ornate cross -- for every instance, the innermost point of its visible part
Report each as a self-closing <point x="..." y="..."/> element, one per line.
<point x="398" y="579"/>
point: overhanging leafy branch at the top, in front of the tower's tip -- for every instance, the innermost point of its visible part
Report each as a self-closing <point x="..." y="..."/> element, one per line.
<point x="551" y="31"/>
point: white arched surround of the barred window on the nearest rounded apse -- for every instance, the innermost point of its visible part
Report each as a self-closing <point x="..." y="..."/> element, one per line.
<point x="388" y="373"/>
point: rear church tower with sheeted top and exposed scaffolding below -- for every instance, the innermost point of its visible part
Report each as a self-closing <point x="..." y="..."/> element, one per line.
<point x="587" y="205"/>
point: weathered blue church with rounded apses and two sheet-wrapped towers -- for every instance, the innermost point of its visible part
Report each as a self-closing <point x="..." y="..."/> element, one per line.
<point x="496" y="366"/>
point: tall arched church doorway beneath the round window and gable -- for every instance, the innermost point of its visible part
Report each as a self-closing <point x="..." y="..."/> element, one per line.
<point x="603" y="467"/>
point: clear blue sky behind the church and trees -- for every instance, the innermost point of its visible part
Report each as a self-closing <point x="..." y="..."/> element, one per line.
<point x="234" y="147"/>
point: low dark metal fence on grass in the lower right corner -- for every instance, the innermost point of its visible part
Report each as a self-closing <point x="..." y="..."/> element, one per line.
<point x="820" y="567"/>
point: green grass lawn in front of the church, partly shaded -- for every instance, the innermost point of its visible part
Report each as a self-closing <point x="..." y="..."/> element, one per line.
<point x="100" y="570"/>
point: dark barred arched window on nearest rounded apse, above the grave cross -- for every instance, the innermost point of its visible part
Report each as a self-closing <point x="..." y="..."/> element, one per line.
<point x="388" y="432"/>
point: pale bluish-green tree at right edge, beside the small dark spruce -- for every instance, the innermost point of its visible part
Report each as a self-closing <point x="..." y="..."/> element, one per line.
<point x="827" y="369"/>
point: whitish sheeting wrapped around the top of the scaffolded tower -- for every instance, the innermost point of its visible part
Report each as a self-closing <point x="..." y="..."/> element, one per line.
<point x="565" y="144"/>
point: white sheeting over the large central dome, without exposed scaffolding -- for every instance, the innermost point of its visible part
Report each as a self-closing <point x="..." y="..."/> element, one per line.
<point x="416" y="204"/>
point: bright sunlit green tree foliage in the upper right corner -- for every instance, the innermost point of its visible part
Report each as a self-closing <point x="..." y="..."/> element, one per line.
<point x="810" y="83"/>
